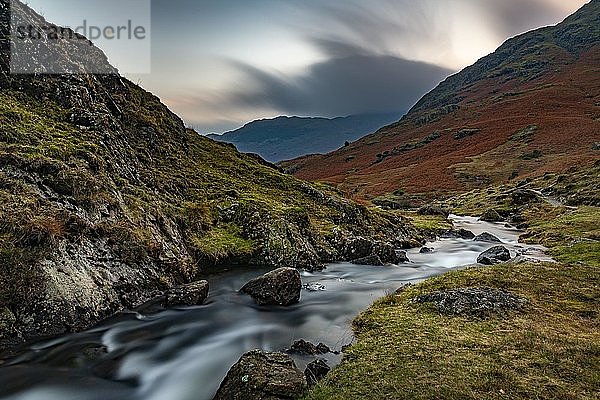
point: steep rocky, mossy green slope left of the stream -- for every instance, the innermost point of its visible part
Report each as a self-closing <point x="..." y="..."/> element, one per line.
<point x="106" y="199"/>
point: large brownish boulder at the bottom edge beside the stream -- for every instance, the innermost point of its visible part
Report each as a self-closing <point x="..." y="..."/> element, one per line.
<point x="260" y="375"/>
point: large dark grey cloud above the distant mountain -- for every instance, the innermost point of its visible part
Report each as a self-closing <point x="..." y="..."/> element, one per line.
<point x="352" y="84"/>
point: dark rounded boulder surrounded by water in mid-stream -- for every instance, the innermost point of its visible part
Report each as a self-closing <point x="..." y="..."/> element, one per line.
<point x="279" y="287"/>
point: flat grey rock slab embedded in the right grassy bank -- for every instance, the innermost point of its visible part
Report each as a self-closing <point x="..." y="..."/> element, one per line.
<point x="477" y="302"/>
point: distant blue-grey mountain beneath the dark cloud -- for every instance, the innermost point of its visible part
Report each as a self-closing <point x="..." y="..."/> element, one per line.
<point x="283" y="138"/>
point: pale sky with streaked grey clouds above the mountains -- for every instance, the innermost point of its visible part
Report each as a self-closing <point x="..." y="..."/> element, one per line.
<point x="221" y="63"/>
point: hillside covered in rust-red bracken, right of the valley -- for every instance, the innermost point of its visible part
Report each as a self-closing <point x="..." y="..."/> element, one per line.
<point x="532" y="106"/>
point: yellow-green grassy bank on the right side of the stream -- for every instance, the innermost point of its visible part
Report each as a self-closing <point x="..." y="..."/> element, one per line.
<point x="550" y="349"/>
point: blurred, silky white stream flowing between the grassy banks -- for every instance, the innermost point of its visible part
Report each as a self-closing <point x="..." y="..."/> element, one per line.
<point x="184" y="353"/>
